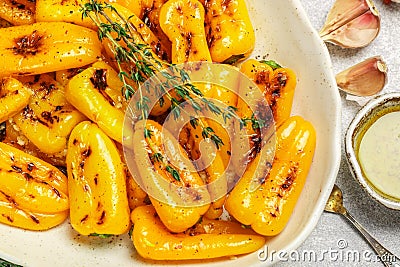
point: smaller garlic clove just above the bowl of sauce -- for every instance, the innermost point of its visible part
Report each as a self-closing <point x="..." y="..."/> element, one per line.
<point x="365" y="78"/>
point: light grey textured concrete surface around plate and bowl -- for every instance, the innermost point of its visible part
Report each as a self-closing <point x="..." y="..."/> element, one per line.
<point x="334" y="241"/>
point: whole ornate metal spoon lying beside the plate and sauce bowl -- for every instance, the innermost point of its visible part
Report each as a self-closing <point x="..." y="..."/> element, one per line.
<point x="335" y="205"/>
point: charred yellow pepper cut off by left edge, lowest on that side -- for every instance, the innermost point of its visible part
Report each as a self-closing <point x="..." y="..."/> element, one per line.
<point x="33" y="194"/>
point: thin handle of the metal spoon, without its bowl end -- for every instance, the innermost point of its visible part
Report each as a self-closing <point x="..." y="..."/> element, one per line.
<point x="387" y="258"/>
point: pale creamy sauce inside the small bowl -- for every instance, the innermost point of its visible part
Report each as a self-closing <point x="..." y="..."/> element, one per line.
<point x="379" y="154"/>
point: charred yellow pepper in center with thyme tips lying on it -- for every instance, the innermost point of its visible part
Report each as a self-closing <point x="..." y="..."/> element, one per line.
<point x="153" y="167"/>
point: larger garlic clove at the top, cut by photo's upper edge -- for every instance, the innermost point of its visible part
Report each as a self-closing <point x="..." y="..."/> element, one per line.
<point x="351" y="23"/>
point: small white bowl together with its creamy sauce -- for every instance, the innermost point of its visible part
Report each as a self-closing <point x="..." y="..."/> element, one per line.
<point x="372" y="146"/>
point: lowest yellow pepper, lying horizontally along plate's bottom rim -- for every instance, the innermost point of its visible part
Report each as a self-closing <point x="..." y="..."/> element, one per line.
<point x="153" y="240"/>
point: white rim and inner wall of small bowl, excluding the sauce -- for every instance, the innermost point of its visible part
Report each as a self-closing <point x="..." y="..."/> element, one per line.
<point x="372" y="111"/>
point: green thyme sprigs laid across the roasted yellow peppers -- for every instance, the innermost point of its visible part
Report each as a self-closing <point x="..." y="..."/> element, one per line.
<point x="143" y="65"/>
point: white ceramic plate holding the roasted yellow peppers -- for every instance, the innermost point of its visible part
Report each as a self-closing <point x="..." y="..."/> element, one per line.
<point x="284" y="34"/>
